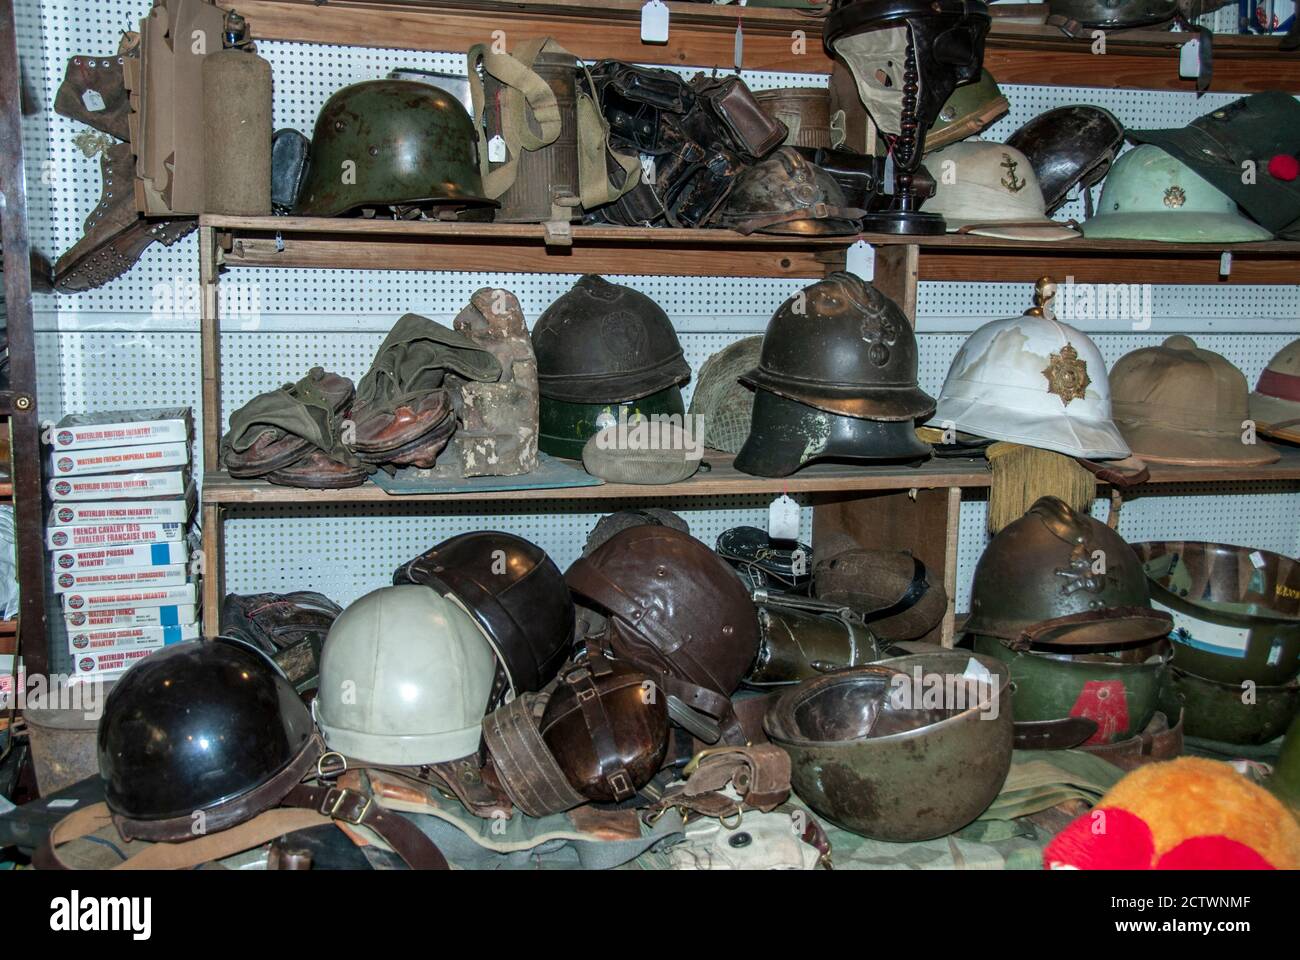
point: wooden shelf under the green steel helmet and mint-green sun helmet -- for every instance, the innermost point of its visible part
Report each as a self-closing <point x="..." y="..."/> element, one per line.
<point x="341" y="244"/>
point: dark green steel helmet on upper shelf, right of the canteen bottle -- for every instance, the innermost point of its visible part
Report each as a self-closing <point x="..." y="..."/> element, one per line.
<point x="392" y="144"/>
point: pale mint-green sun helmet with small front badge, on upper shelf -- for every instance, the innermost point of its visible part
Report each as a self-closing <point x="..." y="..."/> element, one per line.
<point x="1152" y="196"/>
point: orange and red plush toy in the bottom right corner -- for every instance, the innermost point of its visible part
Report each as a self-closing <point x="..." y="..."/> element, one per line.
<point x="1184" y="815"/>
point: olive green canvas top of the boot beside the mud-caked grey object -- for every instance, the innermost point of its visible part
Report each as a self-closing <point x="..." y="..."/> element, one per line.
<point x="415" y="357"/>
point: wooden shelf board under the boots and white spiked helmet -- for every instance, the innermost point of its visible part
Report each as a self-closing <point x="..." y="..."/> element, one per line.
<point x="723" y="479"/>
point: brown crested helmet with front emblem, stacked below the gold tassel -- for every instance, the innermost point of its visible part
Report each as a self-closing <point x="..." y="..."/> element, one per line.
<point x="1060" y="578"/>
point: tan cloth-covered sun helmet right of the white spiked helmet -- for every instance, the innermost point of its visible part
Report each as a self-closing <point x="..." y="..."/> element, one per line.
<point x="1180" y="404"/>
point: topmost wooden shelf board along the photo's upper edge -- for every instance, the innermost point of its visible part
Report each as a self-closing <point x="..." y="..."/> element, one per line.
<point x="775" y="40"/>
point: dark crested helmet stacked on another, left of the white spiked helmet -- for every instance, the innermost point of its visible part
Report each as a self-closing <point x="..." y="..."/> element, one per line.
<point x="843" y="347"/>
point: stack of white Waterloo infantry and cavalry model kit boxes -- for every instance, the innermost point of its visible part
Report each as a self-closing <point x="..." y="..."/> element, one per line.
<point x="122" y="550"/>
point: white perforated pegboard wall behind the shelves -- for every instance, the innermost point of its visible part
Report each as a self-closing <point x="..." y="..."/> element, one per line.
<point x="135" y="343"/>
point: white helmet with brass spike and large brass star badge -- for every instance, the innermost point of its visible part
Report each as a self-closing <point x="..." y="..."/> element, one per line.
<point x="1037" y="382"/>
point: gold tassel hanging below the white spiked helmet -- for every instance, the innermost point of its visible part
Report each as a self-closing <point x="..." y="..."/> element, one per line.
<point x="1024" y="474"/>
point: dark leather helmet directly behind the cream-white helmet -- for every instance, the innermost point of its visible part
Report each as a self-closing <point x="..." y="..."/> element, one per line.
<point x="517" y="596"/>
